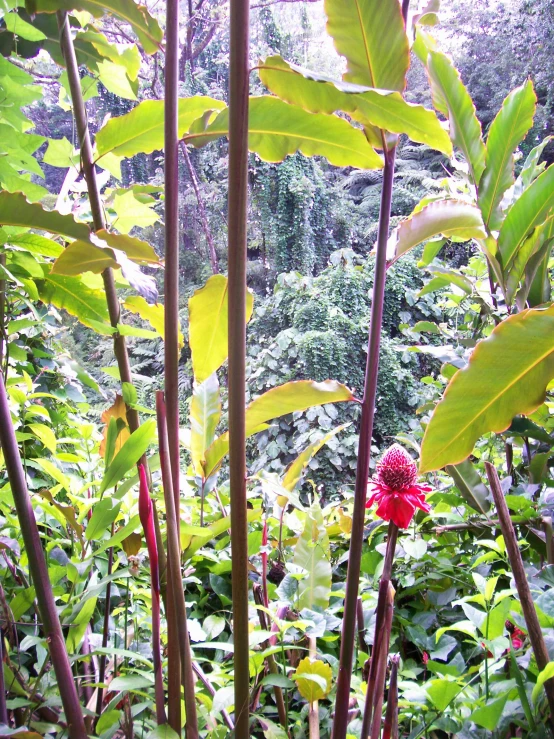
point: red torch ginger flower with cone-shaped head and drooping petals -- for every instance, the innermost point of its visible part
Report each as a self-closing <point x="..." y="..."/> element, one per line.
<point x="395" y="488"/>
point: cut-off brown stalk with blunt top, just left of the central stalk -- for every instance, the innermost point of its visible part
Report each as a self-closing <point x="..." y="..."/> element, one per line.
<point x="174" y="570"/>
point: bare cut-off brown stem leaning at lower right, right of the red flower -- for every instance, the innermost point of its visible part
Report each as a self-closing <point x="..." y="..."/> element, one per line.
<point x="527" y="606"/>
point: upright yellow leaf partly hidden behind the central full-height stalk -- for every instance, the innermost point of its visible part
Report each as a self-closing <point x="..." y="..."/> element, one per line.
<point x="208" y="313"/>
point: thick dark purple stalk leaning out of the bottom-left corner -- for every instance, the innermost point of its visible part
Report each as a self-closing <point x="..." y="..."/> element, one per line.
<point x="39" y="572"/>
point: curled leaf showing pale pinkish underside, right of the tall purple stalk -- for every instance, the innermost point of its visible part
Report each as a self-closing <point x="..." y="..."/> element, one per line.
<point x="448" y="218"/>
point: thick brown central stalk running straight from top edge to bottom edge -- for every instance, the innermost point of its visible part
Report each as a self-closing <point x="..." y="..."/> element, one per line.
<point x="237" y="220"/>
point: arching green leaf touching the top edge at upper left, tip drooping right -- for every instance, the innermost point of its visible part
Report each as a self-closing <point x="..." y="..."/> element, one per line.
<point x="137" y="16"/>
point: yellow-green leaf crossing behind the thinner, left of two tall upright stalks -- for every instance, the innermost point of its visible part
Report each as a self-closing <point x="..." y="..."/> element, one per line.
<point x="142" y="130"/>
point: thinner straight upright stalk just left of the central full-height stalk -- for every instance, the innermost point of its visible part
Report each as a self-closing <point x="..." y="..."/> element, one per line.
<point x="171" y="215"/>
